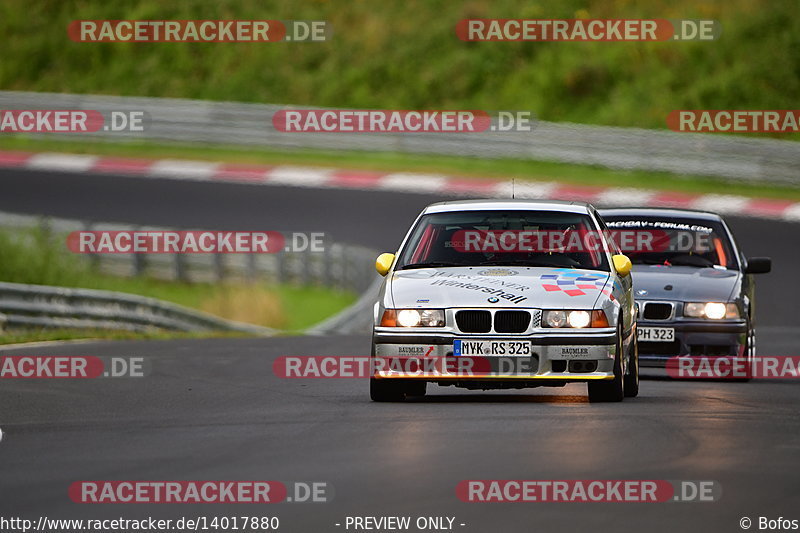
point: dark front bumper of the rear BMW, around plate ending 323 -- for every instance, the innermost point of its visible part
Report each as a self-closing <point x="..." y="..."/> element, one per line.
<point x="699" y="338"/>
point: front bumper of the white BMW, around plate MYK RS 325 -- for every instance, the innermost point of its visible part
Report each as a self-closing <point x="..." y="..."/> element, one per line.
<point x="556" y="357"/>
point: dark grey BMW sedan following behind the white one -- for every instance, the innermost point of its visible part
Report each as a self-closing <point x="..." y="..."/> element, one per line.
<point x="693" y="286"/>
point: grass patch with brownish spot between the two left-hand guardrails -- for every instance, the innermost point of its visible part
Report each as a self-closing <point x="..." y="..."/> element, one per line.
<point x="38" y="257"/>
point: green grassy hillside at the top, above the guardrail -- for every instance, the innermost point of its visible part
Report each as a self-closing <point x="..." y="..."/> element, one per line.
<point x="404" y="54"/>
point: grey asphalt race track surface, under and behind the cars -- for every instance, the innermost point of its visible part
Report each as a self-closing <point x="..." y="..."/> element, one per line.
<point x="212" y="409"/>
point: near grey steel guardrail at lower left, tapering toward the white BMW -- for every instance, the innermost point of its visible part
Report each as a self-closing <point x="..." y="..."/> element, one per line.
<point x="59" y="307"/>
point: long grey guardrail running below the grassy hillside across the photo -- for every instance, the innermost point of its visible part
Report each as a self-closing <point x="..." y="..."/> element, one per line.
<point x="725" y="156"/>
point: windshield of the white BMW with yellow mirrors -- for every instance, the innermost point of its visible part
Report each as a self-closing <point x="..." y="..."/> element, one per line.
<point x="505" y="238"/>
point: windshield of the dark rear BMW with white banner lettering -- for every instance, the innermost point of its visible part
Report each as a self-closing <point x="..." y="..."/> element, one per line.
<point x="673" y="241"/>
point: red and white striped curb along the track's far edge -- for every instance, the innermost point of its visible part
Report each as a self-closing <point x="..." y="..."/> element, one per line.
<point x="297" y="176"/>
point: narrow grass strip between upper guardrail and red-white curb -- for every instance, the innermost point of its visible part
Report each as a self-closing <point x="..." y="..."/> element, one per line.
<point x="393" y="162"/>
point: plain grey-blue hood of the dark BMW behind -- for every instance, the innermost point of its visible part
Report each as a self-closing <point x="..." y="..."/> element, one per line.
<point x="687" y="284"/>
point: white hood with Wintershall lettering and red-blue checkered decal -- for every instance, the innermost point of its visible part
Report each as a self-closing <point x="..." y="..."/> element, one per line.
<point x="557" y="288"/>
